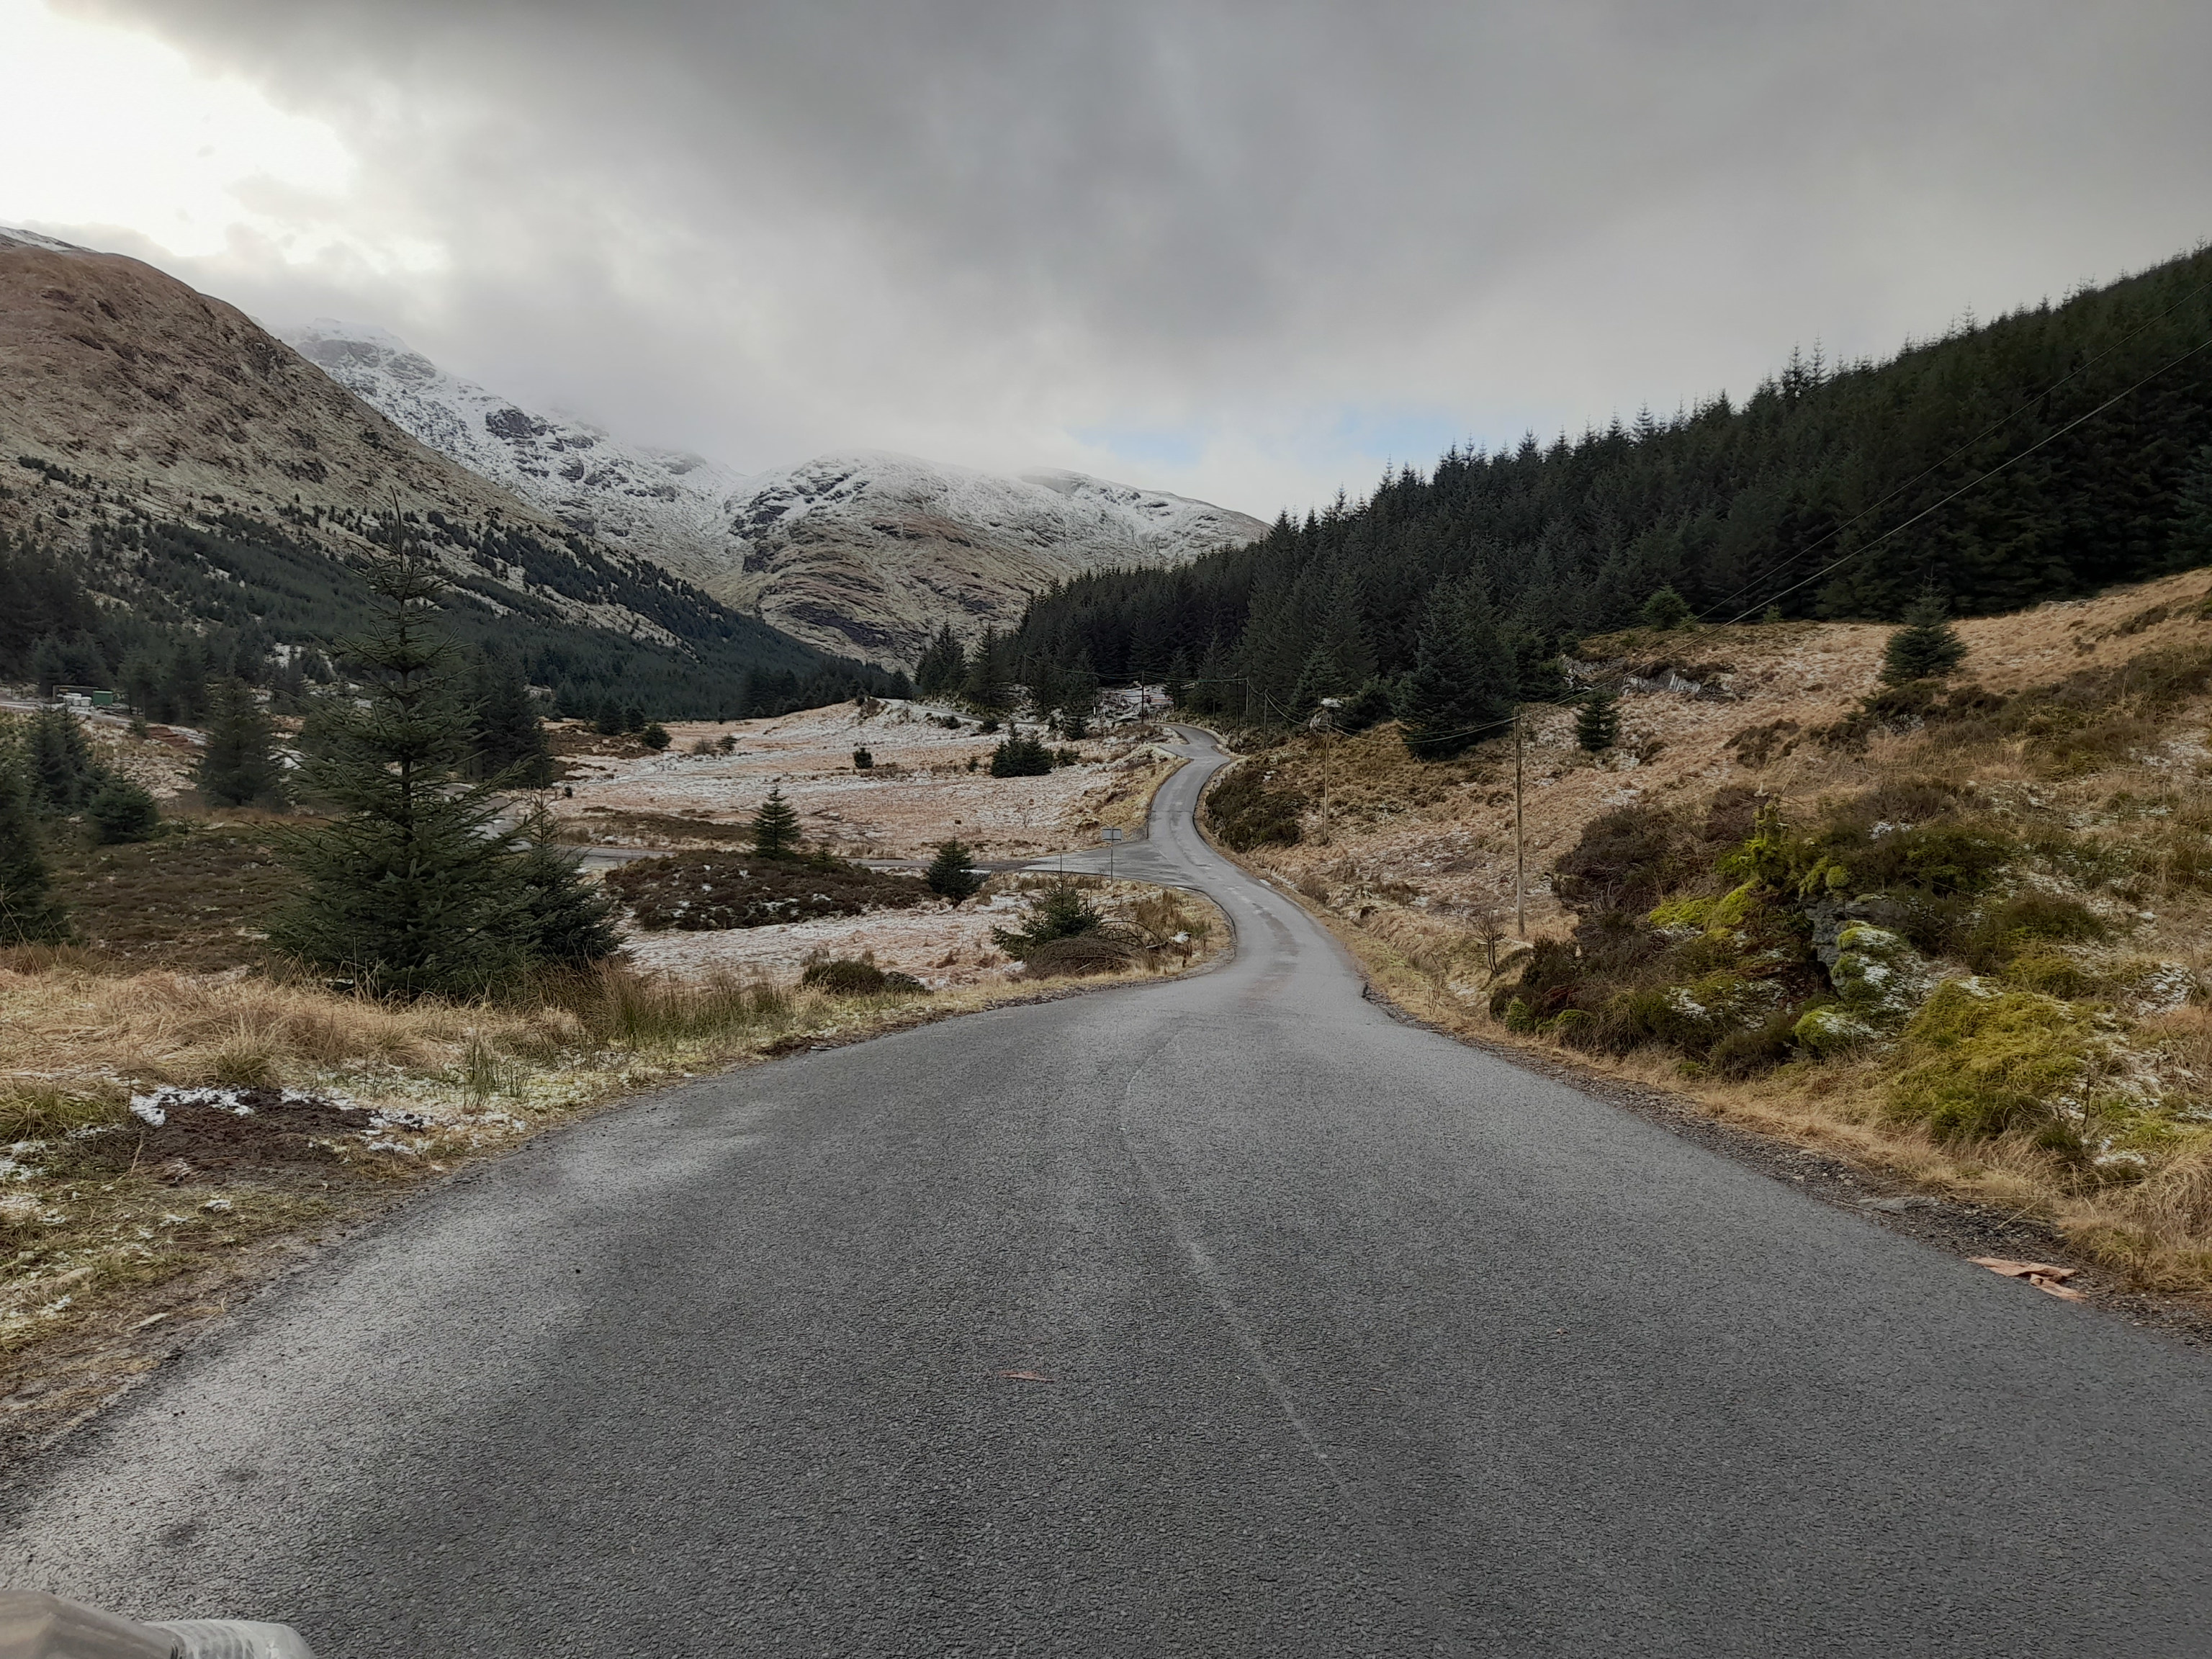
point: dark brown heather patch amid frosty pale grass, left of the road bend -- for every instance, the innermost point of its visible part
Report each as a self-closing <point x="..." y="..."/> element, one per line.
<point x="702" y="893"/>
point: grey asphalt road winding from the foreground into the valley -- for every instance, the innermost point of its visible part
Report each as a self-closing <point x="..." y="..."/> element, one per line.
<point x="1342" y="1339"/>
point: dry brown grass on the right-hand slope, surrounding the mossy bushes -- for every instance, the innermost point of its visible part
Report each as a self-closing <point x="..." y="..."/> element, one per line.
<point x="1410" y="859"/>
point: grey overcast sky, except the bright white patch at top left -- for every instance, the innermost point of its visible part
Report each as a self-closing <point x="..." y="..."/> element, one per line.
<point x="1244" y="251"/>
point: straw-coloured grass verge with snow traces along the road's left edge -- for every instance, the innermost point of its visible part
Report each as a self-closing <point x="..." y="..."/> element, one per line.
<point x="125" y="1238"/>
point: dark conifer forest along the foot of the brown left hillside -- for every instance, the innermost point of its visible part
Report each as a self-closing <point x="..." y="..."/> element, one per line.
<point x="163" y="612"/>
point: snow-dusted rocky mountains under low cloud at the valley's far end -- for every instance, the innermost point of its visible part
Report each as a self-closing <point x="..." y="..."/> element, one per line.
<point x="864" y="554"/>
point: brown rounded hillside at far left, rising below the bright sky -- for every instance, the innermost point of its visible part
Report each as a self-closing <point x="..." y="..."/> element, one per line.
<point x="165" y="444"/>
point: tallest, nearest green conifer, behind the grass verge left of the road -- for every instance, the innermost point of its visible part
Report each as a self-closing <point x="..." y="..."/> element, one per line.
<point x="415" y="888"/>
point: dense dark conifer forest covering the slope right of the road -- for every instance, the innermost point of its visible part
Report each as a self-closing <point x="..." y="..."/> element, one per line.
<point x="2076" y="441"/>
